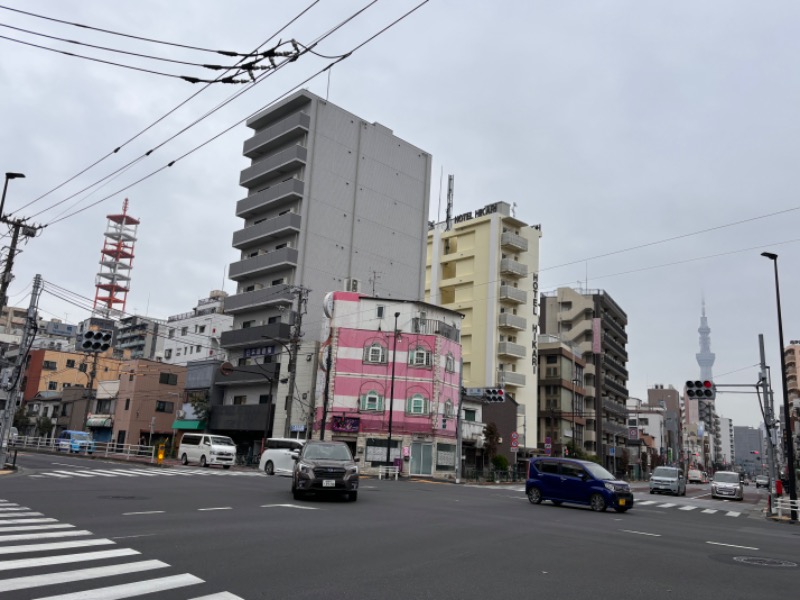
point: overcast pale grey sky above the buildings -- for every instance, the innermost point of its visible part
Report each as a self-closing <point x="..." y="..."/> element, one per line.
<point x="623" y="127"/>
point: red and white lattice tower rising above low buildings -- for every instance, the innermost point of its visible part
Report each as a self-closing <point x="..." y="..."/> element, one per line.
<point x="116" y="261"/>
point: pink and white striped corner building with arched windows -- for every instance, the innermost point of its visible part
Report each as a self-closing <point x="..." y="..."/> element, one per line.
<point x="395" y="371"/>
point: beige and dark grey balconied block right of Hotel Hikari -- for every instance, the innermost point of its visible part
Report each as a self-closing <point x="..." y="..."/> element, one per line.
<point x="594" y="324"/>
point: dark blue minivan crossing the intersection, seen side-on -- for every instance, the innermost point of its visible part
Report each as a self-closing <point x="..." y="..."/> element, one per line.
<point x="576" y="481"/>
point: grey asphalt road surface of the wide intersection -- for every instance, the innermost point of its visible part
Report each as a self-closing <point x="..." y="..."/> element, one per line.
<point x="232" y="534"/>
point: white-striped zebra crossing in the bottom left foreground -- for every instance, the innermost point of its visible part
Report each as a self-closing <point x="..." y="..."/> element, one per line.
<point x="29" y="541"/>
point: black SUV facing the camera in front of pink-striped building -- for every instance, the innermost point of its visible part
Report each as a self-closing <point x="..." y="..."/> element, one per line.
<point x="326" y="467"/>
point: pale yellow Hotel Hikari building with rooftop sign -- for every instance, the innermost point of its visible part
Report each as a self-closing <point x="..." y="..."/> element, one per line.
<point x="485" y="264"/>
